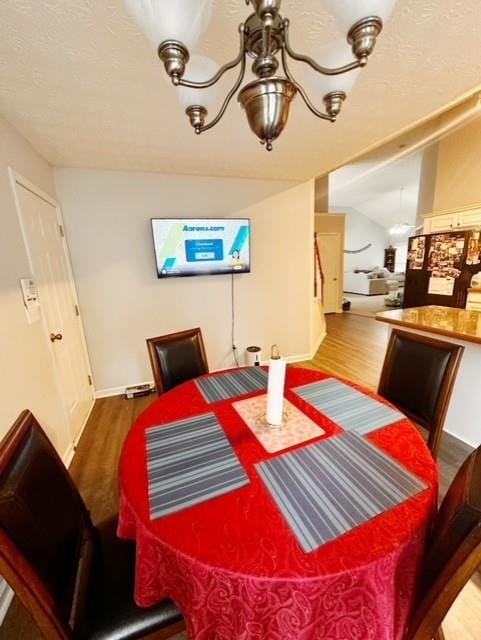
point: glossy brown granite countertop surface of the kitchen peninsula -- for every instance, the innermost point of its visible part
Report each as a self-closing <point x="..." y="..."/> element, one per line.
<point x="446" y="321"/>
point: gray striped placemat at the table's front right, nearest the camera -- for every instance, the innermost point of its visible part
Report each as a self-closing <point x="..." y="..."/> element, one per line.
<point x="328" y="488"/>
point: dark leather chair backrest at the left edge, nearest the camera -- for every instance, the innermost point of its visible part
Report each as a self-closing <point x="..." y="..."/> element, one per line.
<point x="46" y="535"/>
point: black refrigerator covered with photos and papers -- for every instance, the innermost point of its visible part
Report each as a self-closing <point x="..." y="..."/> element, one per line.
<point x="440" y="266"/>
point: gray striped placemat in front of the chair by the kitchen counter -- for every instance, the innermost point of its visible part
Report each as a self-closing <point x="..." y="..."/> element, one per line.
<point x="347" y="407"/>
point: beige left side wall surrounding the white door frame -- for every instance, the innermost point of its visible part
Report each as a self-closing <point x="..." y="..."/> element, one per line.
<point x="26" y="376"/>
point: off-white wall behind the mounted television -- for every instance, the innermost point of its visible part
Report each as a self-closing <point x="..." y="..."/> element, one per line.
<point x="107" y="216"/>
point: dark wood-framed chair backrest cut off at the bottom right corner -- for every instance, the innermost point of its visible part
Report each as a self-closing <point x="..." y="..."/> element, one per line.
<point x="453" y="551"/>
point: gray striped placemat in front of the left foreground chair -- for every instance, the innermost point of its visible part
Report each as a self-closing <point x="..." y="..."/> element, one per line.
<point x="189" y="461"/>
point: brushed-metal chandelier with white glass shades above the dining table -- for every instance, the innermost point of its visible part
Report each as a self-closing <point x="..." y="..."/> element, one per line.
<point x="177" y="26"/>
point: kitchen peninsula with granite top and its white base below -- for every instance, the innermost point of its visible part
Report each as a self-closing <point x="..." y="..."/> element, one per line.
<point x="460" y="326"/>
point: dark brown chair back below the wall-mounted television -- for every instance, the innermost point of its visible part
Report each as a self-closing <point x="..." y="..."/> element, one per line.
<point x="177" y="357"/>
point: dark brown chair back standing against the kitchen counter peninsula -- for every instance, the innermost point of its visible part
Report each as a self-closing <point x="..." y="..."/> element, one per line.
<point x="418" y="376"/>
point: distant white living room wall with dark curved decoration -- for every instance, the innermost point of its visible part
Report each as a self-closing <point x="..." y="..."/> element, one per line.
<point x="360" y="231"/>
